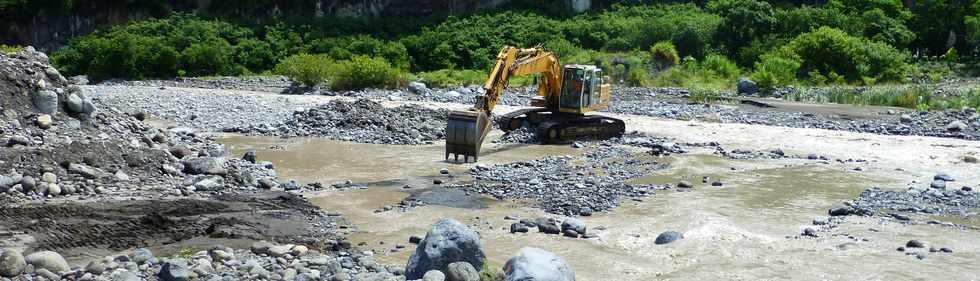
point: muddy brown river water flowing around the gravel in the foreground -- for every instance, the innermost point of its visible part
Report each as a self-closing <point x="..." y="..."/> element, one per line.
<point x="745" y="230"/>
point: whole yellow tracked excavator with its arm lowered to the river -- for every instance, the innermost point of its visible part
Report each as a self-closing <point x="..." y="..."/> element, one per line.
<point x="565" y="94"/>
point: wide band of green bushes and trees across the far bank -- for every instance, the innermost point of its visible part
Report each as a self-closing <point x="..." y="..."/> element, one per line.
<point x="775" y="43"/>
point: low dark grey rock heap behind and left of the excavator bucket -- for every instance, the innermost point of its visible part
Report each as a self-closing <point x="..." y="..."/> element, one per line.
<point x="361" y="121"/>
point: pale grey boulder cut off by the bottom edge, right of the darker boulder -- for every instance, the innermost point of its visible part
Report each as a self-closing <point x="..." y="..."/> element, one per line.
<point x="533" y="264"/>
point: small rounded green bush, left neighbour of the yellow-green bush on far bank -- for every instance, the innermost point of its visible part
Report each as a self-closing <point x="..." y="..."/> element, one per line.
<point x="310" y="70"/>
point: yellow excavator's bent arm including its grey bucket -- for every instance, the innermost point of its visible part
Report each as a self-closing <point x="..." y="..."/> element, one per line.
<point x="466" y="130"/>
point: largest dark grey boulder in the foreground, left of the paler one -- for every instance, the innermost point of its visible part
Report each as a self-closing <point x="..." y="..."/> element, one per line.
<point x="447" y="242"/>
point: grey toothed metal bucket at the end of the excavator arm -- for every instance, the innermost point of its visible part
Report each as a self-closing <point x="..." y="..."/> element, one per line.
<point x="465" y="131"/>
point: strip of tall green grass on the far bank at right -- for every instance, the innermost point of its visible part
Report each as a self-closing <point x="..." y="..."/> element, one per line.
<point x="918" y="97"/>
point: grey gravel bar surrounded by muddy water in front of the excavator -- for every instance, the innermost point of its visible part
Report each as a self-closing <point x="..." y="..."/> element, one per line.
<point x="568" y="185"/>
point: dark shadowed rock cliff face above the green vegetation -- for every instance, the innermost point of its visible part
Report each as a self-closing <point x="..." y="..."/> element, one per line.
<point x="46" y="29"/>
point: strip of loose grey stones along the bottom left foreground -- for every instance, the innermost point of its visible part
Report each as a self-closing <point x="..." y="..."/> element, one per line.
<point x="264" y="261"/>
